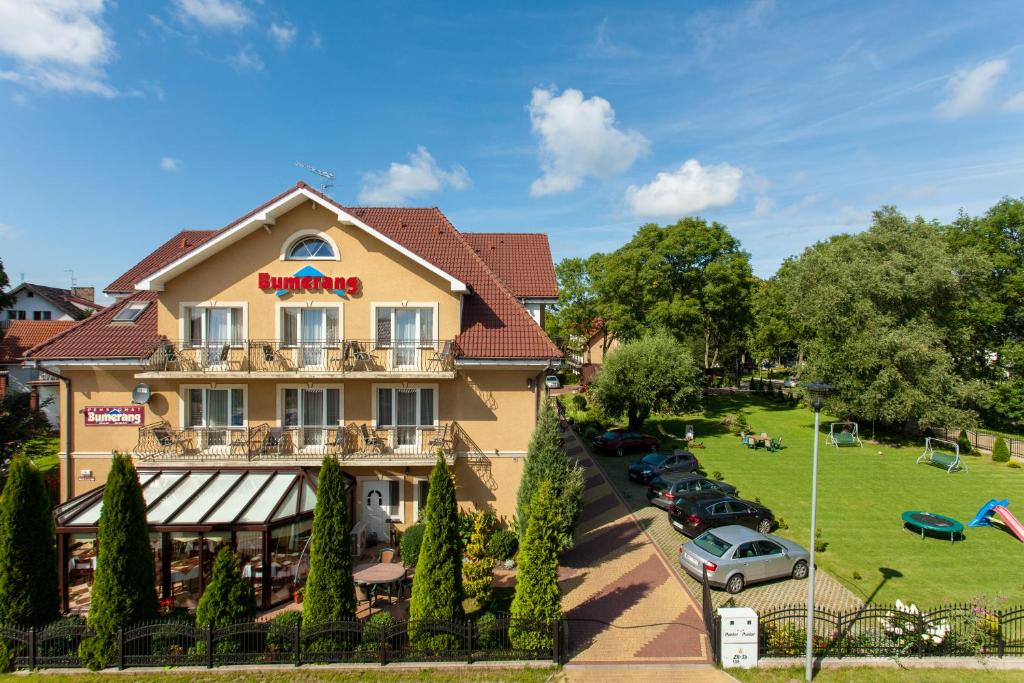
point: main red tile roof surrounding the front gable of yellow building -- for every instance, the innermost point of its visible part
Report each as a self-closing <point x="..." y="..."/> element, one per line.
<point x="494" y="323"/>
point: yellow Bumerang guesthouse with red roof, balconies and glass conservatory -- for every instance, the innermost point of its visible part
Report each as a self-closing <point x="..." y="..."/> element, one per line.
<point x="235" y="360"/>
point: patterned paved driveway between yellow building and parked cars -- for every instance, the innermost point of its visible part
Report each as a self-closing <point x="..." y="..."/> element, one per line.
<point x="625" y="604"/>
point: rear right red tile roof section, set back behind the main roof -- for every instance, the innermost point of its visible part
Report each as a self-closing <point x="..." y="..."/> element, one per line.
<point x="522" y="261"/>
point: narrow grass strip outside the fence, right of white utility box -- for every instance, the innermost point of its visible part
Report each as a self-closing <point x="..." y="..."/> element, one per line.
<point x="876" y="675"/>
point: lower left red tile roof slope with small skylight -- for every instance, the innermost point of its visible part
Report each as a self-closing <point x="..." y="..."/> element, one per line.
<point x="100" y="337"/>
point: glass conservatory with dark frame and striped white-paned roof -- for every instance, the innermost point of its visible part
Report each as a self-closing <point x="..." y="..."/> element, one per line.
<point x="266" y="515"/>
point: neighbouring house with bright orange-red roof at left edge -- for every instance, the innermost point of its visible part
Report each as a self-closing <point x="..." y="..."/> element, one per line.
<point x="19" y="337"/>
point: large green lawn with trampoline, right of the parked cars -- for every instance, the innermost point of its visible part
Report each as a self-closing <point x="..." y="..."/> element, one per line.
<point x="862" y="493"/>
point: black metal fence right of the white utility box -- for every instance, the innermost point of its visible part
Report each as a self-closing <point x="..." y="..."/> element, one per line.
<point x="958" y="630"/>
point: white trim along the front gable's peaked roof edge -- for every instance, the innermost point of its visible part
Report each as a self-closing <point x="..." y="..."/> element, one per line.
<point x="156" y="282"/>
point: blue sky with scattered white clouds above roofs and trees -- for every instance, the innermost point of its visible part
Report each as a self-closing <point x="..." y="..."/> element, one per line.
<point x="122" y="123"/>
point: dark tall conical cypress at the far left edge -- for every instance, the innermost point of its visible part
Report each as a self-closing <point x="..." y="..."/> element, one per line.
<point x="28" y="550"/>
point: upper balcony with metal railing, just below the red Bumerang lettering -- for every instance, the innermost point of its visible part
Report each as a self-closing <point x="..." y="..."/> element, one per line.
<point x="275" y="359"/>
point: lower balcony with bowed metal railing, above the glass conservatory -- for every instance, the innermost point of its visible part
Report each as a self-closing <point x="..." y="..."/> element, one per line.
<point x="355" y="445"/>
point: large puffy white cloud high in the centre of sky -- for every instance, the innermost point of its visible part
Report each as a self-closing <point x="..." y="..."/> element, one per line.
<point x="578" y="140"/>
